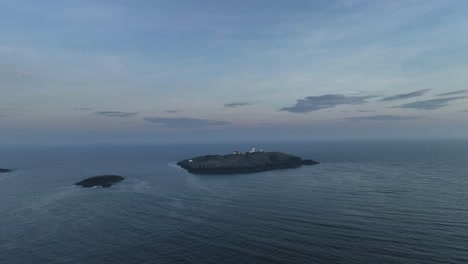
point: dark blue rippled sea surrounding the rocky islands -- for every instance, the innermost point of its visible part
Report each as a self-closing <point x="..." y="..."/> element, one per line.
<point x="368" y="202"/>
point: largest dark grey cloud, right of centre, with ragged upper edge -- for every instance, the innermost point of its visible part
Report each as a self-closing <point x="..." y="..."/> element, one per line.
<point x="314" y="103"/>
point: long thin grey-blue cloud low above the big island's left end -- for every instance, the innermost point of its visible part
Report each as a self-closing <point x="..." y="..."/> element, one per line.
<point x="185" y="122"/>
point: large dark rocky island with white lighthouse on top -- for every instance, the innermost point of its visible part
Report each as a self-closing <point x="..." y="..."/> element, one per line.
<point x="243" y="162"/>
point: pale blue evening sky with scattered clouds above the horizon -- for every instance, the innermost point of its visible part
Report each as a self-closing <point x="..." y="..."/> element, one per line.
<point x="119" y="71"/>
